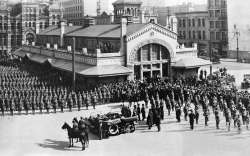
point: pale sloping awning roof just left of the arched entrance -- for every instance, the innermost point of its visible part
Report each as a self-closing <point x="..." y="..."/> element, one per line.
<point x="107" y="70"/>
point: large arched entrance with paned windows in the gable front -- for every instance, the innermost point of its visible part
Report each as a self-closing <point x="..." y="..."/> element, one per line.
<point x="150" y="61"/>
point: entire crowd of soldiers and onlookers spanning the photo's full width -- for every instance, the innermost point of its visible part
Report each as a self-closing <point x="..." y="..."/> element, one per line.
<point x="35" y="88"/>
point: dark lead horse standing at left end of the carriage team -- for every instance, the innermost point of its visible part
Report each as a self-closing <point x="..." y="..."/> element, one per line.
<point x="72" y="133"/>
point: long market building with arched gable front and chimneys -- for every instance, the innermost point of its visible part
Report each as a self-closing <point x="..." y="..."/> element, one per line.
<point x="114" y="52"/>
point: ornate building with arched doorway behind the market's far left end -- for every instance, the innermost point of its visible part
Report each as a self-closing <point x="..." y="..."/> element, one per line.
<point x="29" y="15"/>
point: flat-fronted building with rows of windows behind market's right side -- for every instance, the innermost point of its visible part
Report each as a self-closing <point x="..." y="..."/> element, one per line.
<point x="193" y="27"/>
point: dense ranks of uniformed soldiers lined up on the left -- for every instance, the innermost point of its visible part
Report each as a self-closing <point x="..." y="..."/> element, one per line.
<point x="30" y="88"/>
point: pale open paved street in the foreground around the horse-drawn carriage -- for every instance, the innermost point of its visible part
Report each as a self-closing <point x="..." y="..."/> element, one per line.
<point x="41" y="135"/>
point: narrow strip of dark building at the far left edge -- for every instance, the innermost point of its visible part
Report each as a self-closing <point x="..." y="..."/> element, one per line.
<point x="5" y="29"/>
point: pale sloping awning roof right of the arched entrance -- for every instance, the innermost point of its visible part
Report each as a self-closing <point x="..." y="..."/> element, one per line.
<point x="191" y="62"/>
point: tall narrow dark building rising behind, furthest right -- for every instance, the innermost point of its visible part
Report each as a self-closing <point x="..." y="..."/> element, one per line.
<point x="218" y="24"/>
